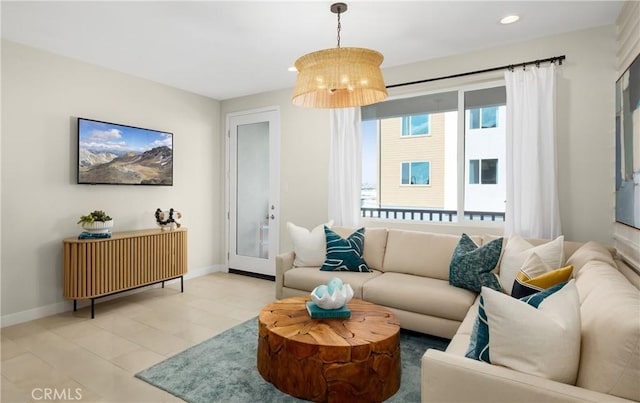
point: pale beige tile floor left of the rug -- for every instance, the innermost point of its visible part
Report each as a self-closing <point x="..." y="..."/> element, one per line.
<point x="70" y="357"/>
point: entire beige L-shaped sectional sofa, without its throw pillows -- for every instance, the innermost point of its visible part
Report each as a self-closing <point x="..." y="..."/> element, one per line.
<point x="410" y="273"/>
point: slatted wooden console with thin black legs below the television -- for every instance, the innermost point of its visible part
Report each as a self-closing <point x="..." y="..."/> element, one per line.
<point x="95" y="268"/>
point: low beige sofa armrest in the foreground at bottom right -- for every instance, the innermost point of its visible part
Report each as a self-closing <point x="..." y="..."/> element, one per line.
<point x="451" y="378"/>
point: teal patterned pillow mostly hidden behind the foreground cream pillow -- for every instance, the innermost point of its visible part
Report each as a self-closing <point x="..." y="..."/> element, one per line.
<point x="479" y="341"/>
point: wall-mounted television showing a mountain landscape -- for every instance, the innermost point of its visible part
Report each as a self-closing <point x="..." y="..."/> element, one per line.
<point x="113" y="154"/>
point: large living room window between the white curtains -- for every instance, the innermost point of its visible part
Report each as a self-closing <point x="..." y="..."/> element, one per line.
<point x="429" y="177"/>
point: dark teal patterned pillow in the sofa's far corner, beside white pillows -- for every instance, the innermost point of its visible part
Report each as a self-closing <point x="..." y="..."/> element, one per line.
<point x="471" y="265"/>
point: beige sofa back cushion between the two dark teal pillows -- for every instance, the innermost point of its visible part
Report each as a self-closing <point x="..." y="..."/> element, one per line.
<point x="423" y="254"/>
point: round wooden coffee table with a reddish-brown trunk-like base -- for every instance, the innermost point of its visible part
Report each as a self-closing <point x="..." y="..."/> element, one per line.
<point x="354" y="359"/>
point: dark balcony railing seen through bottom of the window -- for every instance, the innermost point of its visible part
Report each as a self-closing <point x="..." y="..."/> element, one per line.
<point x="428" y="215"/>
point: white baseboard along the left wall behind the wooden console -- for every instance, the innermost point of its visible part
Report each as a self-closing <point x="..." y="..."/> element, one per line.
<point x="65" y="306"/>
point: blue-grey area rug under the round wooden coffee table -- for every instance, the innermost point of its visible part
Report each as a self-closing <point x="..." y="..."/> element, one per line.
<point x="223" y="369"/>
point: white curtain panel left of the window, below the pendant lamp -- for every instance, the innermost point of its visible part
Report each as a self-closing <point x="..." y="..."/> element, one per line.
<point x="345" y="166"/>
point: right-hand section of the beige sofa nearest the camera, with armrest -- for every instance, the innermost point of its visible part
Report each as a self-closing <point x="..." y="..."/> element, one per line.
<point x="609" y="367"/>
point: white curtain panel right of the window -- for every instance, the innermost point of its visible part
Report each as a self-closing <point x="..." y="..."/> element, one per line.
<point x="532" y="208"/>
